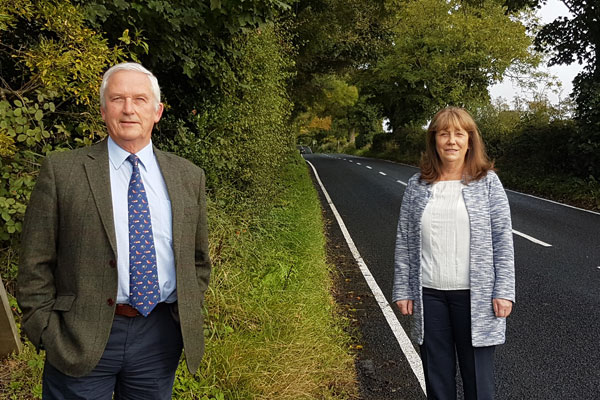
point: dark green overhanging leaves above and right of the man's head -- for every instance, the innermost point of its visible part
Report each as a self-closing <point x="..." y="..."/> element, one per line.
<point x="191" y="43"/>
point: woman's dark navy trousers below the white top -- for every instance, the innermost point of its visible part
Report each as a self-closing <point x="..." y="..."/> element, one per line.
<point x="447" y="317"/>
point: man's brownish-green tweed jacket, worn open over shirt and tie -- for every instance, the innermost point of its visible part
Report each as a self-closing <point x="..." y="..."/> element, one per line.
<point x="67" y="282"/>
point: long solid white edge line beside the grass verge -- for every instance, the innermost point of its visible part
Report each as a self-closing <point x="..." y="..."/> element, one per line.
<point x="405" y="344"/>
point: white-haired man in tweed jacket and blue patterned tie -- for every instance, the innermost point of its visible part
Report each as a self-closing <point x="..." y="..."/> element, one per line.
<point x="114" y="261"/>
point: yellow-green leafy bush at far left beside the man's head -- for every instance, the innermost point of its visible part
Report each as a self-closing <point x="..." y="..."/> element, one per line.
<point x="52" y="66"/>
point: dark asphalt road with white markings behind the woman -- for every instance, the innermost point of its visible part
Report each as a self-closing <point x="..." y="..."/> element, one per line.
<point x="553" y="336"/>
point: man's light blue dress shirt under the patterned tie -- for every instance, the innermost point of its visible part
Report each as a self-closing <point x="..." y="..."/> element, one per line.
<point x="160" y="212"/>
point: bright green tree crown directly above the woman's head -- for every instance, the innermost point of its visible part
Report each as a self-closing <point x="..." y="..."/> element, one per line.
<point x="449" y="57"/>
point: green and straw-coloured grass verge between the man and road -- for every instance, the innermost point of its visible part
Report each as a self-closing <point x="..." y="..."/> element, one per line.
<point x="272" y="327"/>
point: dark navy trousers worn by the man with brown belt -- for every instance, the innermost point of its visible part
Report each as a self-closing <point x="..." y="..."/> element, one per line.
<point x="139" y="362"/>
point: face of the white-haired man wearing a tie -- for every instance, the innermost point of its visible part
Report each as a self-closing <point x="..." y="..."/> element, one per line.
<point x="129" y="111"/>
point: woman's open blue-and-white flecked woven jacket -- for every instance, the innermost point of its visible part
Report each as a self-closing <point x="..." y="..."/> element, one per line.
<point x="491" y="259"/>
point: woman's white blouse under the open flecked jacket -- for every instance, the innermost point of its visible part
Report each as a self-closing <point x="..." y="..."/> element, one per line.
<point x="445" y="238"/>
